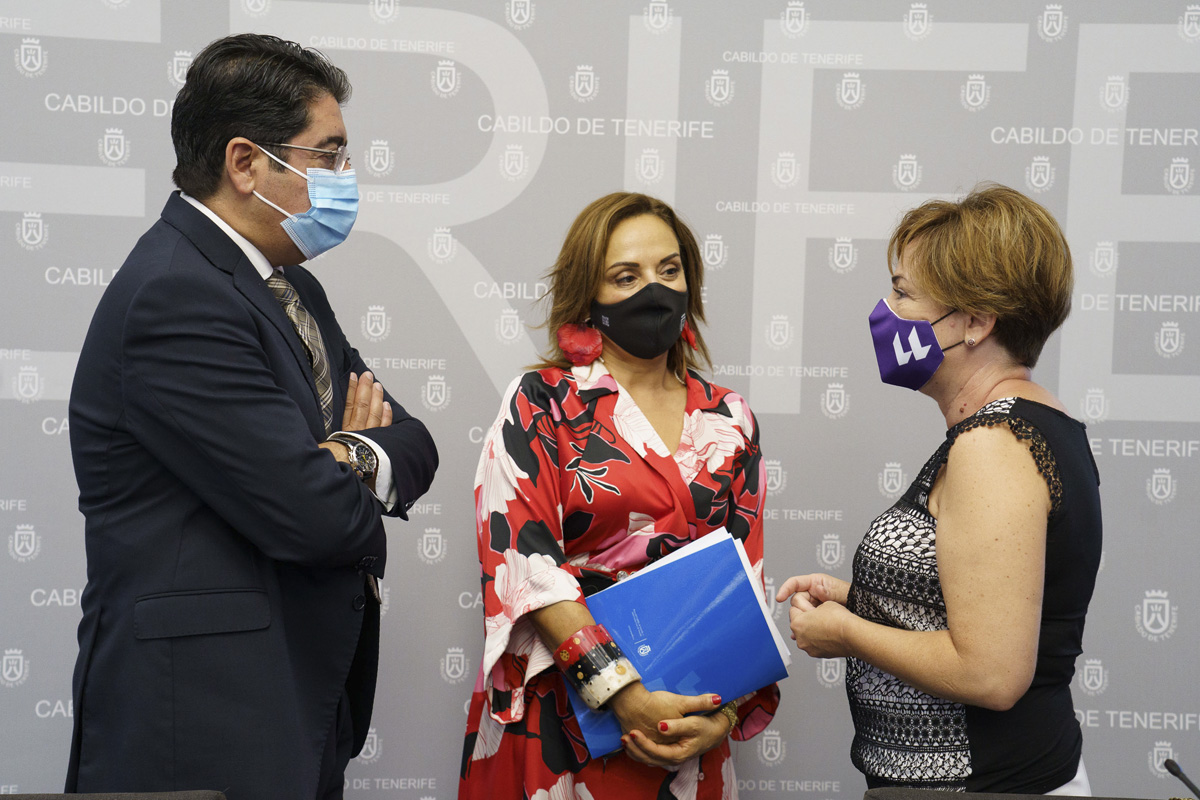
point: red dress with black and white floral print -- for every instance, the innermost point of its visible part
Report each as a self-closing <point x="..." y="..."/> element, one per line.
<point x="575" y="491"/>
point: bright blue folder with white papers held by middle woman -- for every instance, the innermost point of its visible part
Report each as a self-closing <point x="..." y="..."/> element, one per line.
<point x="692" y="623"/>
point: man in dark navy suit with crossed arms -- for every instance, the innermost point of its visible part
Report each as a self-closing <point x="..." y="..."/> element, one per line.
<point x="235" y="460"/>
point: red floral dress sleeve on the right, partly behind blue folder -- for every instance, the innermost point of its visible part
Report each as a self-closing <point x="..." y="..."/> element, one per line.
<point x="748" y="497"/>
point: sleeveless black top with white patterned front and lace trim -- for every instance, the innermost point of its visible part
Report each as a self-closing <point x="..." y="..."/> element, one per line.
<point x="904" y="737"/>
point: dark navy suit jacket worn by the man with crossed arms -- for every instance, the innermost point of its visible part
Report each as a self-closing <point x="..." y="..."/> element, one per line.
<point x="226" y="551"/>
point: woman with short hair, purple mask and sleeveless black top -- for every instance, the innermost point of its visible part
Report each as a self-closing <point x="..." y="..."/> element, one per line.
<point x="965" y="613"/>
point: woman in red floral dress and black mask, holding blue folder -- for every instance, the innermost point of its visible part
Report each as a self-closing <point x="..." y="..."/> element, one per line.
<point x="613" y="455"/>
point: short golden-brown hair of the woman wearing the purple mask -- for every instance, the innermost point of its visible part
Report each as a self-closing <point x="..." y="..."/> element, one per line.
<point x="993" y="252"/>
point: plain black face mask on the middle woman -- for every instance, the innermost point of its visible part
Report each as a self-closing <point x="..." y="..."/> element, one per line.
<point x="645" y="326"/>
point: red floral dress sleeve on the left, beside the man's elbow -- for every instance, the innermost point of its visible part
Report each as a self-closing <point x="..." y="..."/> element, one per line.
<point x="519" y="524"/>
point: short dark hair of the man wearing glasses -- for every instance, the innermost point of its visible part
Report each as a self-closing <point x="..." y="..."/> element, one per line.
<point x="245" y="86"/>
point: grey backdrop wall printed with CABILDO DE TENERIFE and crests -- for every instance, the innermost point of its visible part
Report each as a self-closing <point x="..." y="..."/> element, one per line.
<point x="790" y="134"/>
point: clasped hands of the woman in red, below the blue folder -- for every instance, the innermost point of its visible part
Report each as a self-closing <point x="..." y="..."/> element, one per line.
<point x="657" y="730"/>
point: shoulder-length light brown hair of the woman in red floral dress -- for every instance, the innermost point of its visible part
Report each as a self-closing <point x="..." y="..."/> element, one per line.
<point x="579" y="272"/>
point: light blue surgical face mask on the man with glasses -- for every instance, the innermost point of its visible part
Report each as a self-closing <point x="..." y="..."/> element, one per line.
<point x="334" y="206"/>
